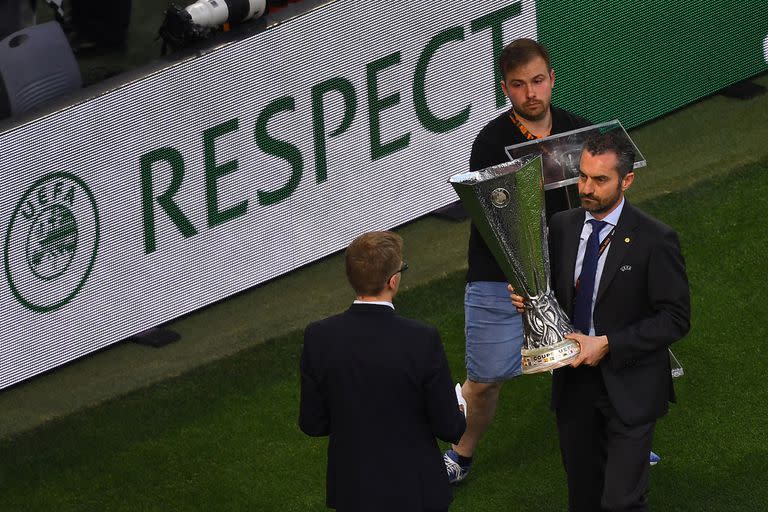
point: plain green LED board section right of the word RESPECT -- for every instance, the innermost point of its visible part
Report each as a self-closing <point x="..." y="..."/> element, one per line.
<point x="639" y="60"/>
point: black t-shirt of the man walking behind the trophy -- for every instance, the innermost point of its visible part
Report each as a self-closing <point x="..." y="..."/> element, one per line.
<point x="488" y="150"/>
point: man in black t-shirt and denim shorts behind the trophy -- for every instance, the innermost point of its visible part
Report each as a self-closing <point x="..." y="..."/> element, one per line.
<point x="493" y="328"/>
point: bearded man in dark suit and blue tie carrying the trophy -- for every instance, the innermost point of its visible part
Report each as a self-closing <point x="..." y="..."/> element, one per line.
<point x="620" y="276"/>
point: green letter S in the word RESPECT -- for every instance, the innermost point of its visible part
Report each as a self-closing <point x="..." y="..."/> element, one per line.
<point x="279" y="148"/>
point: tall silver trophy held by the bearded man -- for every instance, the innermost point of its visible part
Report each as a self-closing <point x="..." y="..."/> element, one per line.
<point x="506" y="203"/>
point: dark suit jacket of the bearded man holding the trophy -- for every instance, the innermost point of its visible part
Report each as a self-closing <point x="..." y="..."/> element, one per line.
<point x="642" y="305"/>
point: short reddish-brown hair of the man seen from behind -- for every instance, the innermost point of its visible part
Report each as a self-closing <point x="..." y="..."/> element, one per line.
<point x="371" y="259"/>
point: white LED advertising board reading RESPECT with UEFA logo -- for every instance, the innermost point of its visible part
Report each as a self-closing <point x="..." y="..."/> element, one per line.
<point x="223" y="171"/>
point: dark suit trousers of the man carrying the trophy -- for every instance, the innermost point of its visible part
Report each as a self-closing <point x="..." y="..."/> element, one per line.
<point x="606" y="461"/>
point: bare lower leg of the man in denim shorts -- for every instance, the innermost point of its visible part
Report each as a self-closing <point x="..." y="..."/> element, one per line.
<point x="481" y="405"/>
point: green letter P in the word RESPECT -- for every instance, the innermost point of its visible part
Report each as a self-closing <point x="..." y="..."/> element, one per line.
<point x="347" y="91"/>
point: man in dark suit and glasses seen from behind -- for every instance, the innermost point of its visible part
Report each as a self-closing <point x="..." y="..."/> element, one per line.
<point x="369" y="376"/>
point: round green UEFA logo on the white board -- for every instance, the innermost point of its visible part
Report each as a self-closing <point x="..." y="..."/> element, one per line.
<point x="52" y="241"/>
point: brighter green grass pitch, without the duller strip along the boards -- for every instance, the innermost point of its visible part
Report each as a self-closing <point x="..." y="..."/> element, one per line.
<point x="224" y="436"/>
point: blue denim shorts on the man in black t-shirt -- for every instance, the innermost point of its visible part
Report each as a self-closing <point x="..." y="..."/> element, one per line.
<point x="494" y="332"/>
